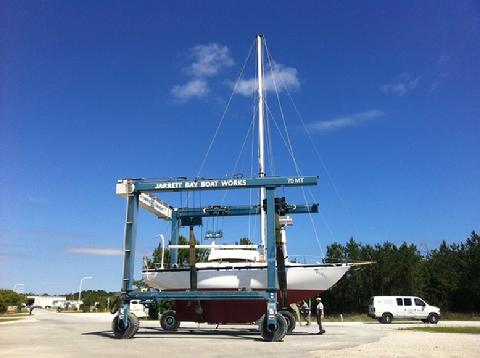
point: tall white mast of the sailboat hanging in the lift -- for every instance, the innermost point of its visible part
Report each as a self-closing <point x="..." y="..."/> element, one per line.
<point x="261" y="148"/>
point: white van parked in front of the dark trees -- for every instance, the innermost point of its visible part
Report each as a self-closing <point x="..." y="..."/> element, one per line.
<point x="386" y="308"/>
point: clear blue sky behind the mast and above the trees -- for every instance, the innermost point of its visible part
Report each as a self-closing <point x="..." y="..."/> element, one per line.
<point x="95" y="91"/>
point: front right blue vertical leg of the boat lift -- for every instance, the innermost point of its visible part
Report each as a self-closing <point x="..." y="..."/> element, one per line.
<point x="271" y="258"/>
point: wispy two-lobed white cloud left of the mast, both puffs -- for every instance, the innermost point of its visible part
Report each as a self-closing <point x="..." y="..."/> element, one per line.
<point x="207" y="61"/>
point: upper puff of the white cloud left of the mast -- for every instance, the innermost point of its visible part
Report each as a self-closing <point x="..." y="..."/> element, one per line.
<point x="209" y="59"/>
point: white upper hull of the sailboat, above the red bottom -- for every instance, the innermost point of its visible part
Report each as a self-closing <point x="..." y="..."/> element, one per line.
<point x="246" y="277"/>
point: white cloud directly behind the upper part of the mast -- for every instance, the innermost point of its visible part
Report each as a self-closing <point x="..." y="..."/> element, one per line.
<point x="281" y="76"/>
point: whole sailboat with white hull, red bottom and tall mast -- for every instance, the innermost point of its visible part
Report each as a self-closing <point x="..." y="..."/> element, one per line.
<point x="241" y="267"/>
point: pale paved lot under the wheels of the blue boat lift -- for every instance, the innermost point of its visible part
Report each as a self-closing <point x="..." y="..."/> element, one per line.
<point x="51" y="334"/>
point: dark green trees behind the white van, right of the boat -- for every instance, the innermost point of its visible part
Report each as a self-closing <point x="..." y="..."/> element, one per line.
<point x="447" y="277"/>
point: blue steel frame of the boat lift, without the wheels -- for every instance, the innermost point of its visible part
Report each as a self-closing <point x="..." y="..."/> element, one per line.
<point x="173" y="185"/>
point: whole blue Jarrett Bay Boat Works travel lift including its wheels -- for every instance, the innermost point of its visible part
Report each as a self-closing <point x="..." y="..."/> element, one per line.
<point x="138" y="194"/>
